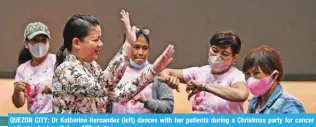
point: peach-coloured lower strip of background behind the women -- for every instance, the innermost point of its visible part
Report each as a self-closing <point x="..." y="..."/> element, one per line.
<point x="304" y="91"/>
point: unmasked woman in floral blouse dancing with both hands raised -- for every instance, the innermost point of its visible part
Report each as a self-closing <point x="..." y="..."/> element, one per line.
<point x="80" y="85"/>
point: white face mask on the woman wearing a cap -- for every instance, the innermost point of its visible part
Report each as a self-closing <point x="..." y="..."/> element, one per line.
<point x="38" y="50"/>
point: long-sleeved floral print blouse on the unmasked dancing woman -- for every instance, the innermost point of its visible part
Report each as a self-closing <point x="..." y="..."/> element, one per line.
<point x="80" y="87"/>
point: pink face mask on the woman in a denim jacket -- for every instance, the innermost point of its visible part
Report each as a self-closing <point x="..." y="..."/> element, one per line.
<point x="259" y="87"/>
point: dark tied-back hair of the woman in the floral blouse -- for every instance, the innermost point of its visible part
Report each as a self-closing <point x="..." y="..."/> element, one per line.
<point x="78" y="26"/>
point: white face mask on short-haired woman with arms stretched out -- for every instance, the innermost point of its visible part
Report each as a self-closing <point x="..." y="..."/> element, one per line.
<point x="217" y="63"/>
